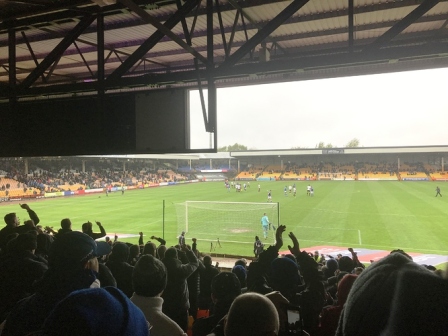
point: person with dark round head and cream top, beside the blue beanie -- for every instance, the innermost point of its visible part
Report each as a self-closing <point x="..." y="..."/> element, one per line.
<point x="149" y="279"/>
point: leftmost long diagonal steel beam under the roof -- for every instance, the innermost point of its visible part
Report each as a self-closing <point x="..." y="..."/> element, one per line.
<point x="56" y="52"/>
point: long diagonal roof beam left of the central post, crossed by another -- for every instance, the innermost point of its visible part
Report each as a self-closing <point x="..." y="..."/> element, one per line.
<point x="152" y="41"/>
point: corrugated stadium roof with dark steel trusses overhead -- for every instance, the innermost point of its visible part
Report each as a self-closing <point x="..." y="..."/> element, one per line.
<point x="55" y="47"/>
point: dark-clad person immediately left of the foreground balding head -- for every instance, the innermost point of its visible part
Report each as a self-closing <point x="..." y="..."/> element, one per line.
<point x="225" y="288"/>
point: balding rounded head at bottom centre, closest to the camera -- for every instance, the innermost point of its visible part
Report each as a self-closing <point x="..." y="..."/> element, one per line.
<point x="252" y="314"/>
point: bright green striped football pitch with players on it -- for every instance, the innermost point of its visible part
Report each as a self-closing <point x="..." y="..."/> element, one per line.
<point x="382" y="215"/>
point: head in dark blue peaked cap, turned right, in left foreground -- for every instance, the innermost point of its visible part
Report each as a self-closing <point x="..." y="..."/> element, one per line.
<point x="73" y="250"/>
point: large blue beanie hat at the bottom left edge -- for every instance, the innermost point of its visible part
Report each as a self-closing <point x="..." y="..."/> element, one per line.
<point x="96" y="311"/>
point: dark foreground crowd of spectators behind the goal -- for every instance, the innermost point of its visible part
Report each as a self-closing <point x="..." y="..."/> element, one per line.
<point x="65" y="282"/>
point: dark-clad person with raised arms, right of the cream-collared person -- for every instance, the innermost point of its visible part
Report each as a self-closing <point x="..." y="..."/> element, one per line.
<point x="175" y="296"/>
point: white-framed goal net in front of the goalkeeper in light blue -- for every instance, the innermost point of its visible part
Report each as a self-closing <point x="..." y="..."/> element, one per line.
<point x="236" y="222"/>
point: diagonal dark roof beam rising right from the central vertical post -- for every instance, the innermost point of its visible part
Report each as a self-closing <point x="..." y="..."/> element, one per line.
<point x="264" y="32"/>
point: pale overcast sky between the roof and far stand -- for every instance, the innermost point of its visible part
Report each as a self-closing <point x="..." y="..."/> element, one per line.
<point x="399" y="109"/>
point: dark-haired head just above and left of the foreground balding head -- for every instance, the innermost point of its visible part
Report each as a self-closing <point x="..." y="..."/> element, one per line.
<point x="225" y="287"/>
